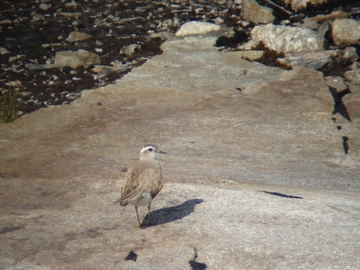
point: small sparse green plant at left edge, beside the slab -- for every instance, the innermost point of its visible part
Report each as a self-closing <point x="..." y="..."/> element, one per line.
<point x="8" y="106"/>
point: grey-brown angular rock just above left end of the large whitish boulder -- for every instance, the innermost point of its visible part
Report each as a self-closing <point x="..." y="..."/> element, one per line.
<point x="253" y="12"/>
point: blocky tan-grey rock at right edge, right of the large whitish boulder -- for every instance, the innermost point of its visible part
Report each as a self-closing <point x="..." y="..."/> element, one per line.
<point x="346" y="32"/>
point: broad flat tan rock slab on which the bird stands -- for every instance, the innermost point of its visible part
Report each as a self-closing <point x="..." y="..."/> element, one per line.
<point x="256" y="170"/>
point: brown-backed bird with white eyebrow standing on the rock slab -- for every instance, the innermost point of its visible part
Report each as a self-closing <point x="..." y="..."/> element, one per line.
<point x="143" y="181"/>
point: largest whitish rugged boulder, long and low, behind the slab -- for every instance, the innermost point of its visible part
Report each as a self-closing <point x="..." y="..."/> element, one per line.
<point x="282" y="38"/>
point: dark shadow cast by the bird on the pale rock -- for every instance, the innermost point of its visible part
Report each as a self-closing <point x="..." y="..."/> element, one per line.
<point x="170" y="214"/>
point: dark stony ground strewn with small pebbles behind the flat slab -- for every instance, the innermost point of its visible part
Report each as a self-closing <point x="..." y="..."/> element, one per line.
<point x="32" y="31"/>
